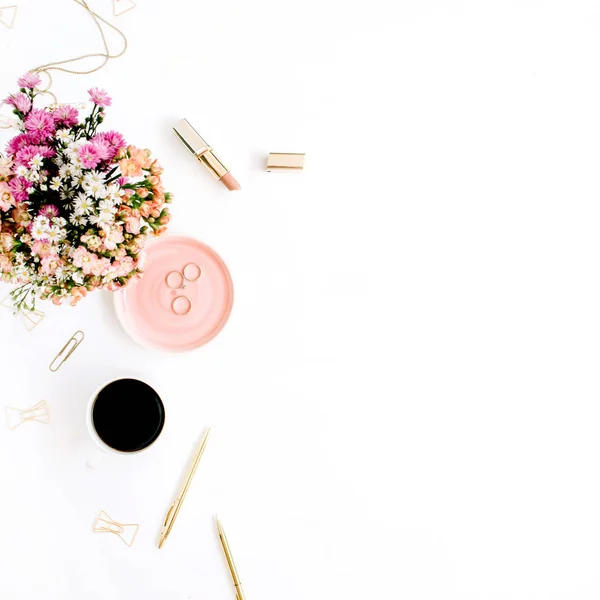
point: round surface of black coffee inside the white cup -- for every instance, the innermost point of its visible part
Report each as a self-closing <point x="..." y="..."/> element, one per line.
<point x="128" y="415"/>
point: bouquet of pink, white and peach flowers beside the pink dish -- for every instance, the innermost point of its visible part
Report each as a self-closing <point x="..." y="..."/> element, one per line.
<point x="76" y="205"/>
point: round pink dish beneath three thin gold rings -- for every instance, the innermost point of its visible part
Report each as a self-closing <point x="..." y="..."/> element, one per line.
<point x="145" y="307"/>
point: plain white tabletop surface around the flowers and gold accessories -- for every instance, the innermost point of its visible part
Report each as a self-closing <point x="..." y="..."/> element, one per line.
<point x="405" y="400"/>
